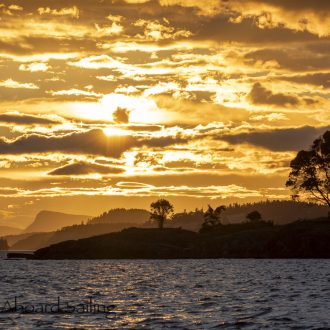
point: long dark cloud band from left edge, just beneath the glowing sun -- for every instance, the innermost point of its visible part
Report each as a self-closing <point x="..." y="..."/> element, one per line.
<point x="93" y="142"/>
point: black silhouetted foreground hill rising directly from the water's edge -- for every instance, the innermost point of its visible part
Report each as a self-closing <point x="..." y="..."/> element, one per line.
<point x="301" y="239"/>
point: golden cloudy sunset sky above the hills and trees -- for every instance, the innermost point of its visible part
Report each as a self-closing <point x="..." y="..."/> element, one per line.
<point x="109" y="104"/>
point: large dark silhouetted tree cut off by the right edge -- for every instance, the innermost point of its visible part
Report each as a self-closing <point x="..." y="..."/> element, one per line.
<point x="310" y="172"/>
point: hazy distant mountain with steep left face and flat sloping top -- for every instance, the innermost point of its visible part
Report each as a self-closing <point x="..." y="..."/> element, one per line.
<point x="47" y="221"/>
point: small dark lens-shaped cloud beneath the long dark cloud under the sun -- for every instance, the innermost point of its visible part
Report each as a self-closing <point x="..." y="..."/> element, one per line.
<point x="82" y="168"/>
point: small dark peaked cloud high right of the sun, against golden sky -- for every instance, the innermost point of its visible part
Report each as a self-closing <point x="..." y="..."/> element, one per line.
<point x="261" y="95"/>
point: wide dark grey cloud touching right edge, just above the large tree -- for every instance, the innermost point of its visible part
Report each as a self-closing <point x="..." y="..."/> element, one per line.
<point x="291" y="139"/>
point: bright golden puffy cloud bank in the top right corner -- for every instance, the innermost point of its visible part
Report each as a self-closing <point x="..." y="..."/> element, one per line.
<point x="294" y="15"/>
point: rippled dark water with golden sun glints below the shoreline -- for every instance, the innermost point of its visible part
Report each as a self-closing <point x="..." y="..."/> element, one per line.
<point x="171" y="294"/>
